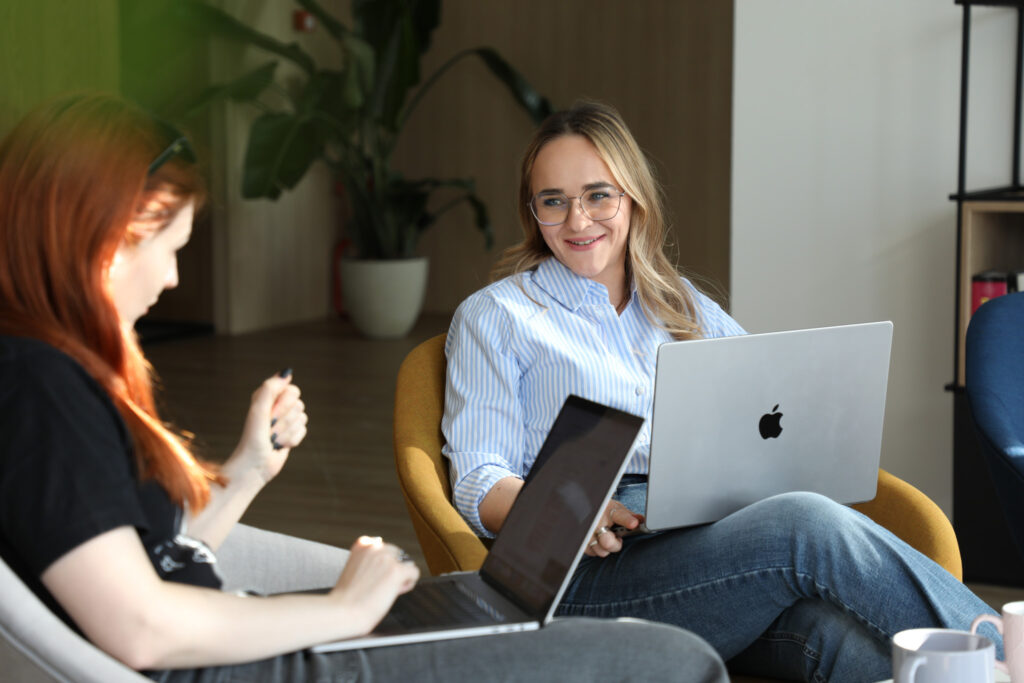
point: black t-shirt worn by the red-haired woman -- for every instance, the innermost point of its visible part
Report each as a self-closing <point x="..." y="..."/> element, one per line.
<point x="68" y="474"/>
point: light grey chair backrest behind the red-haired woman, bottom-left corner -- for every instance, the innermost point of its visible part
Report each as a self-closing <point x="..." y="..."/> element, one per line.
<point x="35" y="646"/>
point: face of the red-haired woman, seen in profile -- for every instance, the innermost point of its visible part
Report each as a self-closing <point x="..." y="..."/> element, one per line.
<point x="147" y="263"/>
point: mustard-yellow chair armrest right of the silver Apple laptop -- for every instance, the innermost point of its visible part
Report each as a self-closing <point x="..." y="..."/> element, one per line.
<point x="917" y="520"/>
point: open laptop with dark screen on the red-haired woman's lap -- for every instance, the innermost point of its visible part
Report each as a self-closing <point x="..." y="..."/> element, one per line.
<point x="533" y="559"/>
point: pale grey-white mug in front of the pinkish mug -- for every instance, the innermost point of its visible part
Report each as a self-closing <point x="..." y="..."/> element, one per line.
<point x="943" y="656"/>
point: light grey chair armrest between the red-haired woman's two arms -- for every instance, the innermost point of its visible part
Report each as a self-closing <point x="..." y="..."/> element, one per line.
<point x="254" y="560"/>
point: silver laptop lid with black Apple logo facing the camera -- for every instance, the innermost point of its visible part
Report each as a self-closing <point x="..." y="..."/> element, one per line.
<point x="740" y="419"/>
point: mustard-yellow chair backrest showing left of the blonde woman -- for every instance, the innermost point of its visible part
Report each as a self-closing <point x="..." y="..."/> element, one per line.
<point x="448" y="542"/>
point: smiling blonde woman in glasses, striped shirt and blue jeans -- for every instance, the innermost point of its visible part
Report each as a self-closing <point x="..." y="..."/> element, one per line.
<point x="795" y="587"/>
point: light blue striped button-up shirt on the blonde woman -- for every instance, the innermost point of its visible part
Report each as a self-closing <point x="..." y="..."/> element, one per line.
<point x="519" y="348"/>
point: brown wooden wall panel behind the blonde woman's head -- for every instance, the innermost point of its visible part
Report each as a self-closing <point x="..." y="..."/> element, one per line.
<point x="666" y="65"/>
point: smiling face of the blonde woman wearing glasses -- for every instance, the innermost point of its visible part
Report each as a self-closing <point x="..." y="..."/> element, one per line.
<point x="591" y="249"/>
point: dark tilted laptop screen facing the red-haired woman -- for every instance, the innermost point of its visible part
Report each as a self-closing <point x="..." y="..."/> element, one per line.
<point x="553" y="516"/>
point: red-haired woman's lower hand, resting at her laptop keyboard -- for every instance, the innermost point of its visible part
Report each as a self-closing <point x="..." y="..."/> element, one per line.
<point x="375" y="575"/>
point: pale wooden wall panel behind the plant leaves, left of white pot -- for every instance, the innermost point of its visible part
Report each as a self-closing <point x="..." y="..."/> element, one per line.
<point x="273" y="260"/>
